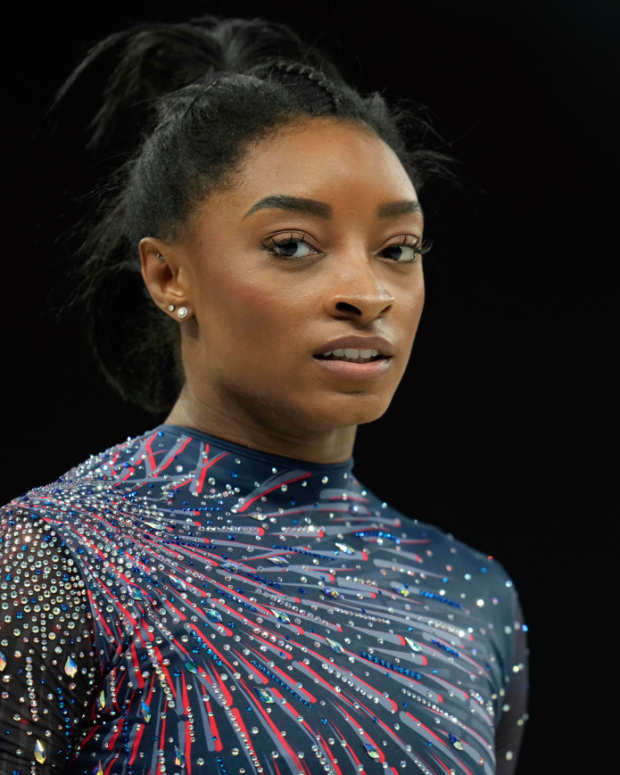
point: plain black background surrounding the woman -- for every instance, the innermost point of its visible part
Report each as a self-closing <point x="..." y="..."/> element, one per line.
<point x="497" y="429"/>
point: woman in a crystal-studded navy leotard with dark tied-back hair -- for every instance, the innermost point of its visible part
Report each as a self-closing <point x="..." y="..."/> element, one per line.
<point x="221" y="594"/>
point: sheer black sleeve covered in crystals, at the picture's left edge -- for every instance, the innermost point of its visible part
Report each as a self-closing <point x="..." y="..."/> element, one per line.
<point x="47" y="661"/>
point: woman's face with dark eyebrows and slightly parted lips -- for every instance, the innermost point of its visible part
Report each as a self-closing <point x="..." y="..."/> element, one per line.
<point x="339" y="268"/>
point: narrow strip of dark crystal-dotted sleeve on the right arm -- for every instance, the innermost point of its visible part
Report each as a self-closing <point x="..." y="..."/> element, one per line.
<point x="509" y="733"/>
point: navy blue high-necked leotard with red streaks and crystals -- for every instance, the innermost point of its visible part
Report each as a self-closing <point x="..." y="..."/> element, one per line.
<point x="182" y="604"/>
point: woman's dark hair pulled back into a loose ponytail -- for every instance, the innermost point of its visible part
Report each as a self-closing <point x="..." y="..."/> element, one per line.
<point x="199" y="91"/>
